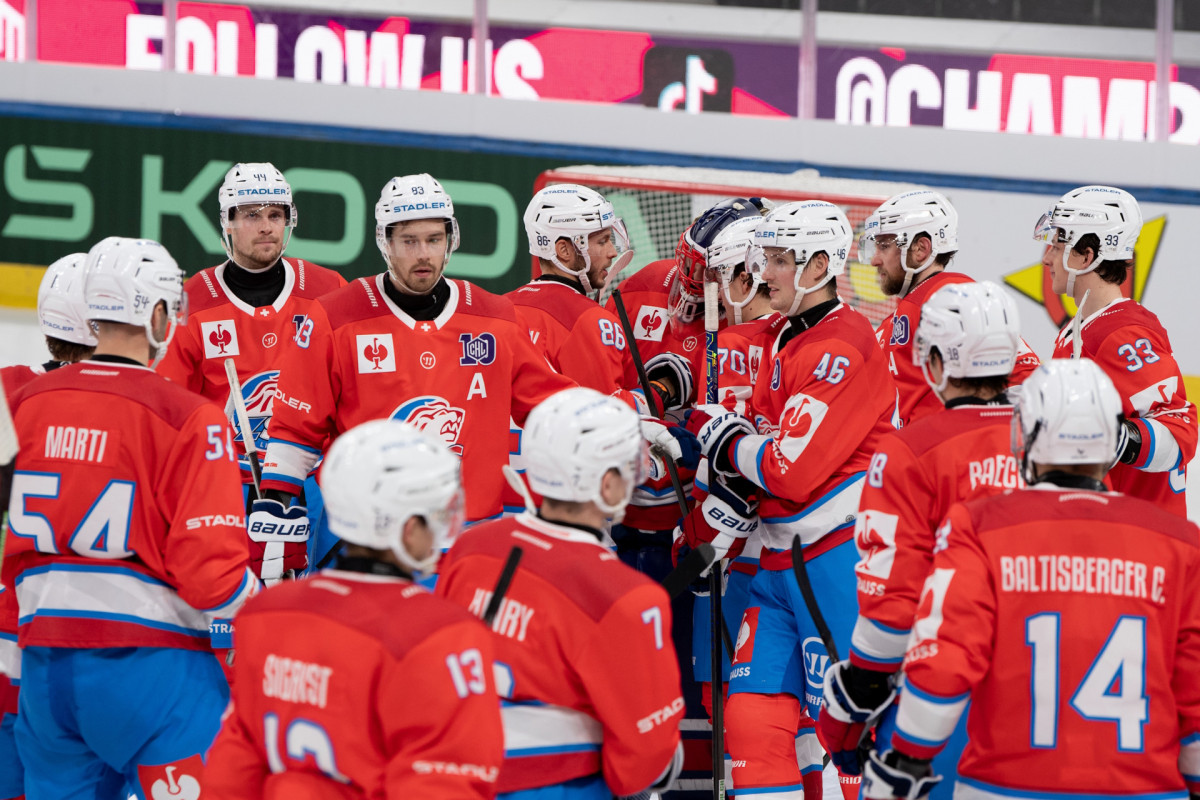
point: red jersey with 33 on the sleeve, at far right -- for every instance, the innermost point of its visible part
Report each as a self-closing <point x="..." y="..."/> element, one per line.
<point x="1132" y="348"/>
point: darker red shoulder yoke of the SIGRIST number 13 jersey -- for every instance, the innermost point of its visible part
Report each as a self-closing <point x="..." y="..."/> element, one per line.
<point x="397" y="613"/>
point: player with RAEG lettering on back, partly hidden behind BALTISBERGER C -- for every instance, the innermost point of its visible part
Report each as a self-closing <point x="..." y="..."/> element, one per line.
<point x="968" y="344"/>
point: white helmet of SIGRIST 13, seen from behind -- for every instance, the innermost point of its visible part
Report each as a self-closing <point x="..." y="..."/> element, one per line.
<point x="379" y="476"/>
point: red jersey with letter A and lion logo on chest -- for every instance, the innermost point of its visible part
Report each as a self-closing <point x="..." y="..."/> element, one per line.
<point x="461" y="376"/>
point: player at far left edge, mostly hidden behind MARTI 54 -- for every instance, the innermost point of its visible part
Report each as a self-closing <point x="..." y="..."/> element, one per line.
<point x="63" y="318"/>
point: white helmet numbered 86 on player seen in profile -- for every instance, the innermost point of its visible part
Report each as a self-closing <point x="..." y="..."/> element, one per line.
<point x="574" y="212"/>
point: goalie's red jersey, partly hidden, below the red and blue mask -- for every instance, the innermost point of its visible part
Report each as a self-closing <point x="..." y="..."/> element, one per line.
<point x="645" y="294"/>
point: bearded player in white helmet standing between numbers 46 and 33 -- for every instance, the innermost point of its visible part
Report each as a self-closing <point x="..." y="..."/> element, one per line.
<point x="911" y="240"/>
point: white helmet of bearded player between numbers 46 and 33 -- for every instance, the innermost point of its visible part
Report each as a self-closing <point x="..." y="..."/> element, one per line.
<point x="908" y="216"/>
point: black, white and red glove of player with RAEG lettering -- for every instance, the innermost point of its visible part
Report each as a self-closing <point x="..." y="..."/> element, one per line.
<point x="854" y="701"/>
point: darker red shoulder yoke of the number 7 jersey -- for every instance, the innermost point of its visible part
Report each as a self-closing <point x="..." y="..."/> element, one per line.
<point x="591" y="576"/>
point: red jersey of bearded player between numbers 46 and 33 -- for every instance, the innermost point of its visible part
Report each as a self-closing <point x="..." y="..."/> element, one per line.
<point x="898" y="334"/>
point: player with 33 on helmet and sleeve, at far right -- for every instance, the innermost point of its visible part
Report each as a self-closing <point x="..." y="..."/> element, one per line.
<point x="1091" y="232"/>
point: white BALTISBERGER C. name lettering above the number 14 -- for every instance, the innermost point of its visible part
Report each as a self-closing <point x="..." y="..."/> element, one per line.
<point x="1083" y="575"/>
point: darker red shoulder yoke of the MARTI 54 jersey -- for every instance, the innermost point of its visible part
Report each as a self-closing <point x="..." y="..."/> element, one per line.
<point x="165" y="399"/>
